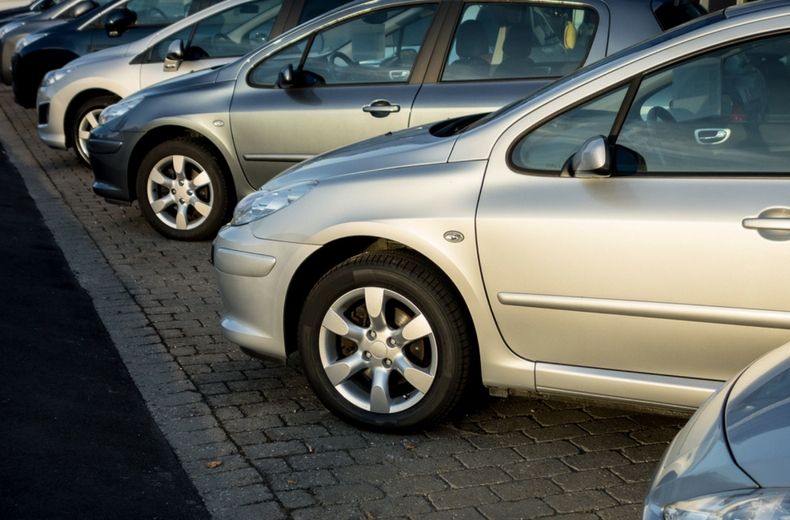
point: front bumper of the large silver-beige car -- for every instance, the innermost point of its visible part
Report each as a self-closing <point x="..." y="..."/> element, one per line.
<point x="254" y="276"/>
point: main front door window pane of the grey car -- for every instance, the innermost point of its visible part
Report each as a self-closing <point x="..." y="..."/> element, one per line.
<point x="379" y="47"/>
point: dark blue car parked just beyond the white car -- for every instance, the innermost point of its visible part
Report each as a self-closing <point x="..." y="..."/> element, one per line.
<point x="117" y="23"/>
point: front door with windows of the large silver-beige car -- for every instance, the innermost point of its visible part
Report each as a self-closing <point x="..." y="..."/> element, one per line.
<point x="675" y="264"/>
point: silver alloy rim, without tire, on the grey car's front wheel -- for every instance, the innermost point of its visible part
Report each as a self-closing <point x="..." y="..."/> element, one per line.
<point x="179" y="192"/>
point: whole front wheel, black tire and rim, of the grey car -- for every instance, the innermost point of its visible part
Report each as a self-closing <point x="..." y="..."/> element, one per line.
<point x="205" y="208"/>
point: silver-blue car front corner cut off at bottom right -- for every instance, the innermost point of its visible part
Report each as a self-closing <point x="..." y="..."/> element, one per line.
<point x="731" y="459"/>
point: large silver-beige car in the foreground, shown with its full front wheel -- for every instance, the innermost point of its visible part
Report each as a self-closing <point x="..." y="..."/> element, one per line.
<point x="619" y="235"/>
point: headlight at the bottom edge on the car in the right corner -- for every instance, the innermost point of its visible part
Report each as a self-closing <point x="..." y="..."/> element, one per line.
<point x="737" y="505"/>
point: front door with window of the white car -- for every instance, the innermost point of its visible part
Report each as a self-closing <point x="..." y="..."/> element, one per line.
<point x="213" y="40"/>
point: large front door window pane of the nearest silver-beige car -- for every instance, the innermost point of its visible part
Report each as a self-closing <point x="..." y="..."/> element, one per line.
<point x="724" y="111"/>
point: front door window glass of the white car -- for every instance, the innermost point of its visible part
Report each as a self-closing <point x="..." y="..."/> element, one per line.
<point x="235" y="31"/>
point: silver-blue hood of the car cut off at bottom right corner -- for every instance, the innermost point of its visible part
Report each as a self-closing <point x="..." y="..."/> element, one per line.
<point x="758" y="419"/>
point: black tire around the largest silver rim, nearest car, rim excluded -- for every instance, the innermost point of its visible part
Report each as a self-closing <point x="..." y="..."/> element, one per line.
<point x="447" y="382"/>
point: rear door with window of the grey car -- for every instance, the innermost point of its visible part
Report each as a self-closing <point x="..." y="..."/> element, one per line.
<point x="496" y="52"/>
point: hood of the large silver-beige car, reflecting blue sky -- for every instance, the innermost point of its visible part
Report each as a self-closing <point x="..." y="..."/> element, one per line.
<point x="411" y="147"/>
